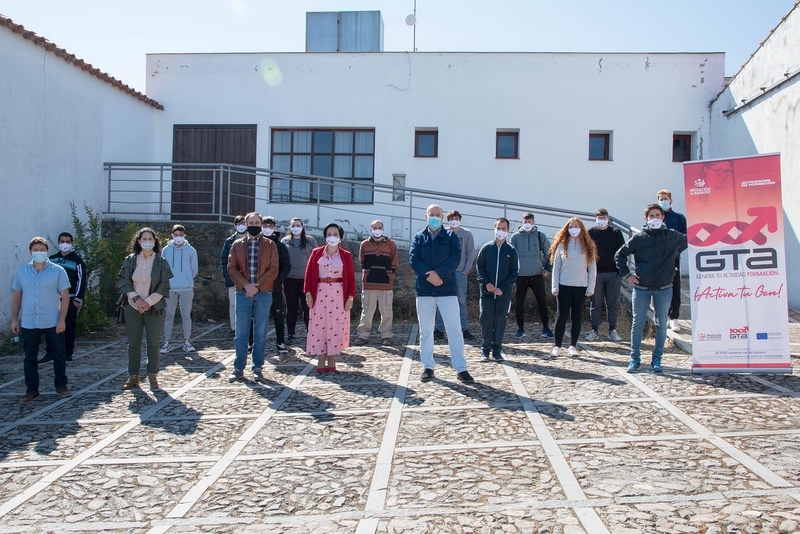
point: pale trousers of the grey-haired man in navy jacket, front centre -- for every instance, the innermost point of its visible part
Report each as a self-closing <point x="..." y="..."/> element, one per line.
<point x="426" y="313"/>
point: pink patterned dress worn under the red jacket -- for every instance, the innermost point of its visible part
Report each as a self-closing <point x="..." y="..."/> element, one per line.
<point x="329" y="326"/>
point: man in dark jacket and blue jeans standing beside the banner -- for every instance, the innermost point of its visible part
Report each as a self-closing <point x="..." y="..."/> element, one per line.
<point x="654" y="250"/>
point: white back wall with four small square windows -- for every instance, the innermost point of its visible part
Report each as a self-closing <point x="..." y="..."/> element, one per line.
<point x="553" y="99"/>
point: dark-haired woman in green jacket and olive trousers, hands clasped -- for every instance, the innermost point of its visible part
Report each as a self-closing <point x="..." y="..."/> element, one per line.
<point x="144" y="281"/>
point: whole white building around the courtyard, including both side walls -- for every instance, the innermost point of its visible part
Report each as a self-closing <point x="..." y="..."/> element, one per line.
<point x="576" y="131"/>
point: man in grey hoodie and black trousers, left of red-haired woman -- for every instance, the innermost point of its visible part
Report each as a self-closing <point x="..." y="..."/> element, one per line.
<point x="533" y="249"/>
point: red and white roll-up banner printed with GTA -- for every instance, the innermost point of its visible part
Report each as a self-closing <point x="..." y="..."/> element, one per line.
<point x="740" y="316"/>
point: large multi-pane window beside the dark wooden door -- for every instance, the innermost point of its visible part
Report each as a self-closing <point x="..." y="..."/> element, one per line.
<point x="313" y="195"/>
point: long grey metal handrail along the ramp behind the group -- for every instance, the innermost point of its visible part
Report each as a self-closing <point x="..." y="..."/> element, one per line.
<point x="141" y="202"/>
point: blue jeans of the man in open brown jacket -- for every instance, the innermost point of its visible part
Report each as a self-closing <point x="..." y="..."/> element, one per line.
<point x="257" y="309"/>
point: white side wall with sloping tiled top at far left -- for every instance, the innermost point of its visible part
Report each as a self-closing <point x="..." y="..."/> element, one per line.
<point x="59" y="123"/>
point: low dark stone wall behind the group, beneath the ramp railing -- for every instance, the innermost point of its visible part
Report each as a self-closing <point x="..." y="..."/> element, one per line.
<point x="211" y="295"/>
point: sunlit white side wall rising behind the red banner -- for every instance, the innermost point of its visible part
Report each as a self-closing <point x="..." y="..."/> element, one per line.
<point x="767" y="124"/>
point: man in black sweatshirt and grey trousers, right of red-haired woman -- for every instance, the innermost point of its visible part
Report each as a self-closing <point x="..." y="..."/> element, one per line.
<point x="608" y="281"/>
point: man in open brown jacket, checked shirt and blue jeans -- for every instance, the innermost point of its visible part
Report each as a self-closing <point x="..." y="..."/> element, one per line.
<point x="253" y="267"/>
